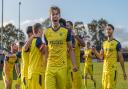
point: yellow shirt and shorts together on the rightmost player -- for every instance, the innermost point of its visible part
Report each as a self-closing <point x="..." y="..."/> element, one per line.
<point x="110" y="49"/>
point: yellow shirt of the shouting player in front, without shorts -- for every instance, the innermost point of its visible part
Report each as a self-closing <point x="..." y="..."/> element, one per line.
<point x="57" y="46"/>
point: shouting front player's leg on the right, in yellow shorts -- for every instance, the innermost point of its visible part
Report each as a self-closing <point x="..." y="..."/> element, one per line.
<point x="61" y="78"/>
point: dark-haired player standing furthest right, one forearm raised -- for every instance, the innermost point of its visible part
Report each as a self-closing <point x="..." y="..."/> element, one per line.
<point x="110" y="52"/>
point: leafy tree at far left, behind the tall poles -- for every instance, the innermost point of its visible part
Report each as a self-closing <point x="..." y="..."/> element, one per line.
<point x="10" y="34"/>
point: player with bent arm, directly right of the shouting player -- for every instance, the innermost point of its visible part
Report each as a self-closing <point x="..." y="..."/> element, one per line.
<point x="77" y="42"/>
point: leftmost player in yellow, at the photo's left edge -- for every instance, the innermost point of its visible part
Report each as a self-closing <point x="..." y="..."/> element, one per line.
<point x="9" y="64"/>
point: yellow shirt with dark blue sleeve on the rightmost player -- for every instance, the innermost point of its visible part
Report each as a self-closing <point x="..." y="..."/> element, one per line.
<point x="111" y="49"/>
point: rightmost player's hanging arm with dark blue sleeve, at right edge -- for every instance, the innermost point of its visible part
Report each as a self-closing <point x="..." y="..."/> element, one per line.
<point x="121" y="59"/>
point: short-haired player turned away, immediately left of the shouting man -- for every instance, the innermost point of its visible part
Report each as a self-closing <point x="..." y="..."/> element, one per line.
<point x="36" y="65"/>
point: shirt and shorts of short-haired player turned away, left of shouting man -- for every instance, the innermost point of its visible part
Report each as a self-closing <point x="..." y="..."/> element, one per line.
<point x="36" y="66"/>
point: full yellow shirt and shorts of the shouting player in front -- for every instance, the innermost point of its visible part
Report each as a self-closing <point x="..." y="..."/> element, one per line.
<point x="56" y="71"/>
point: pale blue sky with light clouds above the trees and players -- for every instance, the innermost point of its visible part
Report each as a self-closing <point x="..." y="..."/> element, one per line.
<point x="115" y="11"/>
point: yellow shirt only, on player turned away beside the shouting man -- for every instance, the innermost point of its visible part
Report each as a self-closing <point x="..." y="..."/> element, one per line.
<point x="36" y="65"/>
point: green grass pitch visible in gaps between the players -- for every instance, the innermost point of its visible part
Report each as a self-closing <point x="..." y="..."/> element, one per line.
<point x="121" y="84"/>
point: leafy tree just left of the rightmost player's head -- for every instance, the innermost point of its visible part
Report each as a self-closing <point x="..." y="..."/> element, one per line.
<point x="97" y="31"/>
